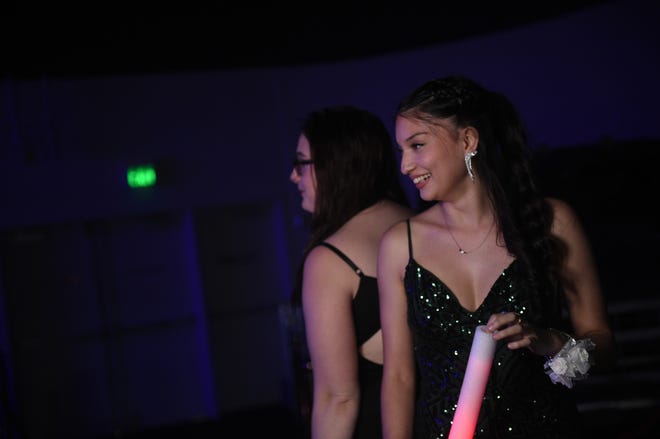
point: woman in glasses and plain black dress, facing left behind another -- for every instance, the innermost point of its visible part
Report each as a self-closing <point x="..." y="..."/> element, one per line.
<point x="345" y="170"/>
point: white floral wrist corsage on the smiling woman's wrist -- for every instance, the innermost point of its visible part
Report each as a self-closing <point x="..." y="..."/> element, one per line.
<point x="571" y="363"/>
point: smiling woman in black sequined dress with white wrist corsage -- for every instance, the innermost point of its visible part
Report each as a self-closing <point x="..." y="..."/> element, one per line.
<point x="490" y="251"/>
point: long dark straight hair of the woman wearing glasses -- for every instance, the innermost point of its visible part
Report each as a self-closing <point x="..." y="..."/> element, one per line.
<point x="355" y="165"/>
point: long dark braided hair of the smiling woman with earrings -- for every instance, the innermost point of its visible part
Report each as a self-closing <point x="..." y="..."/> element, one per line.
<point x="504" y="167"/>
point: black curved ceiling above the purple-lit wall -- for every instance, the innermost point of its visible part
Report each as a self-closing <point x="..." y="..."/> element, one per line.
<point x="243" y="37"/>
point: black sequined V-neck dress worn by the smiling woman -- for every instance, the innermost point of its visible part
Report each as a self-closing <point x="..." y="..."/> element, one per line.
<point x="520" y="400"/>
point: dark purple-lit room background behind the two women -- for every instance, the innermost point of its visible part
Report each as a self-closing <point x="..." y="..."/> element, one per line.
<point x="161" y="312"/>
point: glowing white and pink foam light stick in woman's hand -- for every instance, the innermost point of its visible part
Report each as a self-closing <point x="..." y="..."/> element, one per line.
<point x="474" y="385"/>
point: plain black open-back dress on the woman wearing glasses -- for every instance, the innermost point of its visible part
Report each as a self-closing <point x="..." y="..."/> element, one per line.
<point x="366" y="318"/>
